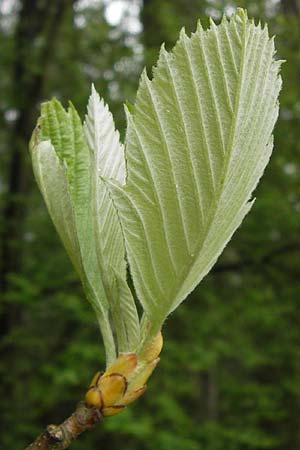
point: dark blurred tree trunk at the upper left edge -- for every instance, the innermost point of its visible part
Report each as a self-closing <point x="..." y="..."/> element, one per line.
<point x="35" y="36"/>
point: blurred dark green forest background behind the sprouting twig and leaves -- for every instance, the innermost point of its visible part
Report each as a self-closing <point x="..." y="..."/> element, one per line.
<point x="229" y="377"/>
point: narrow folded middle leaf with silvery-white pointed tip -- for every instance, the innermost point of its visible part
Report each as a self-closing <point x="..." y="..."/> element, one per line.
<point x="107" y="161"/>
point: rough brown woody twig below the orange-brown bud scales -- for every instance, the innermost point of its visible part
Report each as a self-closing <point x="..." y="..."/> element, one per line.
<point x="59" y="437"/>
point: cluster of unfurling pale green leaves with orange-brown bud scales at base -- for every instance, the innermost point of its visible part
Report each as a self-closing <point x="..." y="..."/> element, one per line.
<point x="198" y="140"/>
